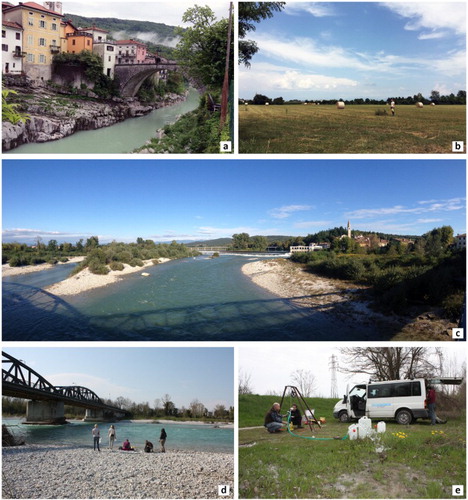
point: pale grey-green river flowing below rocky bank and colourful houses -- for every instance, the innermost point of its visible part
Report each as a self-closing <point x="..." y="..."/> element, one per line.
<point x="123" y="137"/>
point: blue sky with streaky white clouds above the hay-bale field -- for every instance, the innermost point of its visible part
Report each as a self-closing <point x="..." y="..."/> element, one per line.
<point x="349" y="50"/>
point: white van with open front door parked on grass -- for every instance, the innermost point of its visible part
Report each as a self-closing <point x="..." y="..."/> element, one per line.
<point x="402" y="400"/>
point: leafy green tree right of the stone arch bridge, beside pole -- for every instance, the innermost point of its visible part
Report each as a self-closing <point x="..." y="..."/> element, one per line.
<point x="202" y="47"/>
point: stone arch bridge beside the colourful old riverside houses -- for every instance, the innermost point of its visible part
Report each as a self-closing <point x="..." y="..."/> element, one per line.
<point x="131" y="76"/>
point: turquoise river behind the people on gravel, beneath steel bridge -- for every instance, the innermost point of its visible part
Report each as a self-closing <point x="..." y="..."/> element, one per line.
<point x="201" y="437"/>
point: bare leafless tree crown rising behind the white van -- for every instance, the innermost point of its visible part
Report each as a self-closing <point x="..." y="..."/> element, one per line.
<point x="391" y="363"/>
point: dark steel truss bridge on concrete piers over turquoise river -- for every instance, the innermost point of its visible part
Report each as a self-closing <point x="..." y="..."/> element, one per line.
<point x="46" y="401"/>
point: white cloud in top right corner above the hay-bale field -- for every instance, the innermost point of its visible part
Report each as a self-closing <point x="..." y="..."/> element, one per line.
<point x="434" y="16"/>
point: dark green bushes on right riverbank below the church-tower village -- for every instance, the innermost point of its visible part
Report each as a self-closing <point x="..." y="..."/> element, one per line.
<point x="428" y="271"/>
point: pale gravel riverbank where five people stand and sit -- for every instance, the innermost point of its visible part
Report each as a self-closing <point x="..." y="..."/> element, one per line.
<point x="68" y="472"/>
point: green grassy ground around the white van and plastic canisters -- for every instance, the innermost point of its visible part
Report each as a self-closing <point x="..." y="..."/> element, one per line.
<point x="417" y="461"/>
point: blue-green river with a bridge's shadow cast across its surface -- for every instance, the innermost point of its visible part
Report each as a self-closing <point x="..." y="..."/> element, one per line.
<point x="200" y="299"/>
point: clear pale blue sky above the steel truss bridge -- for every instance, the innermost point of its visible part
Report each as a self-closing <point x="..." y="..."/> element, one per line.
<point x="140" y="374"/>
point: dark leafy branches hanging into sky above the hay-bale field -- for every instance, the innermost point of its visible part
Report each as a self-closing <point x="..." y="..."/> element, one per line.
<point x="249" y="13"/>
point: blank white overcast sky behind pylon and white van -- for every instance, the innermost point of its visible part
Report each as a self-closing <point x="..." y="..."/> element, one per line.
<point x="270" y="366"/>
